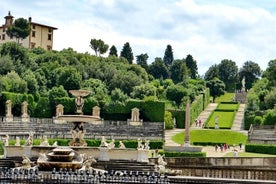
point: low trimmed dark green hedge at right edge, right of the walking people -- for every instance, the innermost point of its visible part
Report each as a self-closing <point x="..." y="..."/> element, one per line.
<point x="261" y="148"/>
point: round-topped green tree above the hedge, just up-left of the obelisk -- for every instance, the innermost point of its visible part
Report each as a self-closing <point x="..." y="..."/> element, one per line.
<point x="176" y="93"/>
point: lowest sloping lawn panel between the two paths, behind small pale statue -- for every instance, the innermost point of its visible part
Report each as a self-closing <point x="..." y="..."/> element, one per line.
<point x="225" y="119"/>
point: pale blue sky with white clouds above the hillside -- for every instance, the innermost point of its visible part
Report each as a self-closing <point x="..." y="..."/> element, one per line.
<point x="209" y="30"/>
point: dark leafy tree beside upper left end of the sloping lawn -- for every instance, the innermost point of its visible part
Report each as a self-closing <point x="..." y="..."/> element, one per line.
<point x="217" y="87"/>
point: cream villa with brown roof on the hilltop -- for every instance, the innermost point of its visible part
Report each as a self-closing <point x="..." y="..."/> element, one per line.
<point x="40" y="35"/>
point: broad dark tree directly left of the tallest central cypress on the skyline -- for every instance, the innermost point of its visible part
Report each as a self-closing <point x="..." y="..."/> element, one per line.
<point x="158" y="69"/>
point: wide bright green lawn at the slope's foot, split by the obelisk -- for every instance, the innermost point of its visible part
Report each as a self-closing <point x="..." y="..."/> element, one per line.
<point x="214" y="136"/>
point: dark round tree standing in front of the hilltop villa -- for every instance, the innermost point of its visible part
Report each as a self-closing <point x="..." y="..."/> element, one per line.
<point x="20" y="29"/>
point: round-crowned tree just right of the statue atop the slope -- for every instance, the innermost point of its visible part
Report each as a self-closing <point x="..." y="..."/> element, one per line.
<point x="251" y="71"/>
